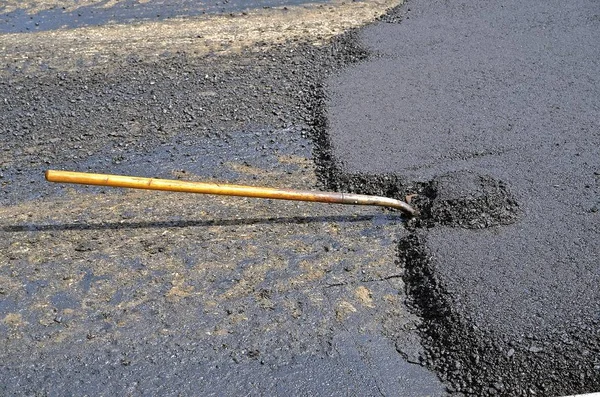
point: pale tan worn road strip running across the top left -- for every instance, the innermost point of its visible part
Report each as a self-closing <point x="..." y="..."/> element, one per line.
<point x="197" y="36"/>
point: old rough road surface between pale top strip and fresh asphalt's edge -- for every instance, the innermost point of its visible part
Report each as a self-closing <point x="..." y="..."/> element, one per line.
<point x="108" y="293"/>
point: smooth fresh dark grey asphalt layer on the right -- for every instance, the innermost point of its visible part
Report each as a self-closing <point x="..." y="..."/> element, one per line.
<point x="502" y="100"/>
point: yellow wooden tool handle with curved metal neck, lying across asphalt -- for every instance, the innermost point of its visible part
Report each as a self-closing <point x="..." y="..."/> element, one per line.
<point x="224" y="189"/>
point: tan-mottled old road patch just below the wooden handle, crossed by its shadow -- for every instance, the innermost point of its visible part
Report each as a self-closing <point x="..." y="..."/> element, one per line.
<point x="98" y="263"/>
